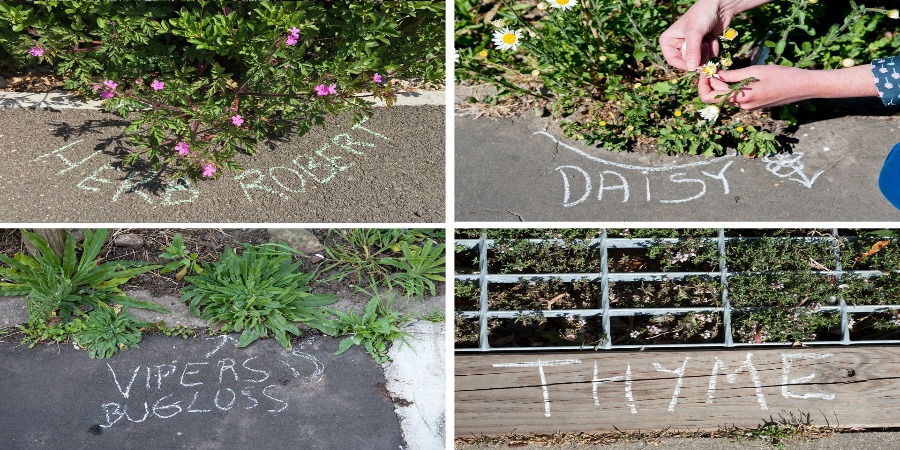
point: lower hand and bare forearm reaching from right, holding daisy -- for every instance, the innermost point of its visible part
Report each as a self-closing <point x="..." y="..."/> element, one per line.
<point x="780" y="85"/>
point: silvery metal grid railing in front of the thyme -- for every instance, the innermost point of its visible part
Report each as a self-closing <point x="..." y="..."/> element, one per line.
<point x="602" y="245"/>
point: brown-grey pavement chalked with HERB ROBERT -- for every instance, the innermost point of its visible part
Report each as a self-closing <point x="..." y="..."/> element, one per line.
<point x="61" y="167"/>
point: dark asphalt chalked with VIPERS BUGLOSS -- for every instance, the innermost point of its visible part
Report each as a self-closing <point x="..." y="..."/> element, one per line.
<point x="201" y="393"/>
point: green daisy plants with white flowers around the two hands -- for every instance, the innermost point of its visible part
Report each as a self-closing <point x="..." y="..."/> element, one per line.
<point x="597" y="65"/>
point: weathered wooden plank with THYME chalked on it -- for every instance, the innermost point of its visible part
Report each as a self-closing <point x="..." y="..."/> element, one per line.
<point x="596" y="392"/>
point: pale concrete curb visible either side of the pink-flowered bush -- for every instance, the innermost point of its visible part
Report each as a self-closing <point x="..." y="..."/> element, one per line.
<point x="66" y="101"/>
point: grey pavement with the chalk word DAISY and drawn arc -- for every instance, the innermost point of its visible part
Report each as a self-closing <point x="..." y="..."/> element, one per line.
<point x="522" y="169"/>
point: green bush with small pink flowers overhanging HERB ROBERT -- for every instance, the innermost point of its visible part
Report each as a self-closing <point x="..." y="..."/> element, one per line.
<point x="208" y="80"/>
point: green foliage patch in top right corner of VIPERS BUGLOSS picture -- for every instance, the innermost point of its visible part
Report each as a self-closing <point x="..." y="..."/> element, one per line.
<point x="395" y="258"/>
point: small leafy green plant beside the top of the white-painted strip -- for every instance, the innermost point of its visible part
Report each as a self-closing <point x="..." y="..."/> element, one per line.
<point x="376" y="329"/>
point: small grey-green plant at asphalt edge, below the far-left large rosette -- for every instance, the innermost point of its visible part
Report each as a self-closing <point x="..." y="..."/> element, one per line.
<point x="107" y="331"/>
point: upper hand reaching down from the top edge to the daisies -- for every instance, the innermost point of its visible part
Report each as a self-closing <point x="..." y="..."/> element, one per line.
<point x="690" y="41"/>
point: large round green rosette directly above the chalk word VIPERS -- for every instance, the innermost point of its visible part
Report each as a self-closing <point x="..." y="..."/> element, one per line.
<point x="256" y="292"/>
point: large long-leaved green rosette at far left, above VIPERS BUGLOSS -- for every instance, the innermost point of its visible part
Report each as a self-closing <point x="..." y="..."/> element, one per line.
<point x="61" y="286"/>
